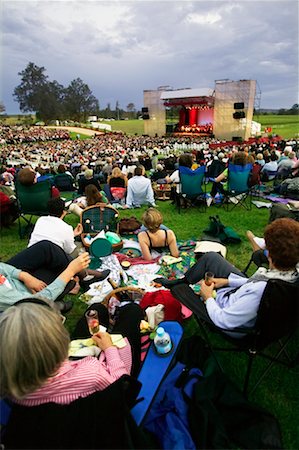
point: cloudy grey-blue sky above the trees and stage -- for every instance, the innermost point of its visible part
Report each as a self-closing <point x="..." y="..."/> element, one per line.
<point x="120" y="48"/>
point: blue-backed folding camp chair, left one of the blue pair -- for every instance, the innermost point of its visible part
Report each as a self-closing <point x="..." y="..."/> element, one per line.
<point x="192" y="187"/>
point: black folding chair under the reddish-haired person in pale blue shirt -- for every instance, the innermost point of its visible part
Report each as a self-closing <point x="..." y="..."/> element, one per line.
<point x="277" y="322"/>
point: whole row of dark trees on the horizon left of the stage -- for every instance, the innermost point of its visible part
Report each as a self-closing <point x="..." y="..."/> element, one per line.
<point x="50" y="100"/>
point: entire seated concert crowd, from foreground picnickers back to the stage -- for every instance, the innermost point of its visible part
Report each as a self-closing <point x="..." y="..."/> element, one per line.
<point x="34" y="343"/>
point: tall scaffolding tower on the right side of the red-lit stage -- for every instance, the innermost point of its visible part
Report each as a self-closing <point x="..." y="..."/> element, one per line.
<point x="227" y="92"/>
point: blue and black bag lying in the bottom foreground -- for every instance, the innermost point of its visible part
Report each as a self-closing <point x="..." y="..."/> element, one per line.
<point x="204" y="409"/>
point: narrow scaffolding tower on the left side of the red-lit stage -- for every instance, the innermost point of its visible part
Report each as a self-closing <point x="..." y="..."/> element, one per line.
<point x="156" y="124"/>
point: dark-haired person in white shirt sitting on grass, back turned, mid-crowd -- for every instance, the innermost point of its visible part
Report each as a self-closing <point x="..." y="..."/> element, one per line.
<point x="139" y="191"/>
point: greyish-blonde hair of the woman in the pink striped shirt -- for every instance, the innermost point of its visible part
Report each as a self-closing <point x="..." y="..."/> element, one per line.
<point x="33" y="345"/>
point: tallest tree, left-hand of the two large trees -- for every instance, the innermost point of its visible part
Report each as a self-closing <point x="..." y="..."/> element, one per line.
<point x="29" y="93"/>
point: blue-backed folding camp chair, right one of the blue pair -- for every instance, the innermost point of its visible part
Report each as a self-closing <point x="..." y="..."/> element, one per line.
<point x="238" y="192"/>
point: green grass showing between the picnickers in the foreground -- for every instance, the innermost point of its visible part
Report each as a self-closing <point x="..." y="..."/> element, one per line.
<point x="279" y="391"/>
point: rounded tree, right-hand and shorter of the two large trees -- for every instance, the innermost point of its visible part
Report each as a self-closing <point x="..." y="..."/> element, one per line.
<point x="79" y="102"/>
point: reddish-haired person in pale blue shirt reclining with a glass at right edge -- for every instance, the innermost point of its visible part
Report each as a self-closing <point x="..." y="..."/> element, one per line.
<point x="237" y="298"/>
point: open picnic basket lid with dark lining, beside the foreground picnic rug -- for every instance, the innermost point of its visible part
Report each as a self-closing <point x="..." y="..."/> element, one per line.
<point x="97" y="218"/>
